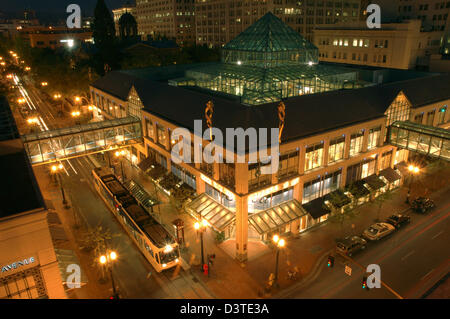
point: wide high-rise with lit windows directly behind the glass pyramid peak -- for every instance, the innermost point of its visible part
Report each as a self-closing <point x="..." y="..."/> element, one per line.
<point x="219" y="21"/>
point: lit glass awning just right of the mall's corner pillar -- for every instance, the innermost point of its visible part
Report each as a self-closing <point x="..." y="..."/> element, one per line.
<point x="271" y="219"/>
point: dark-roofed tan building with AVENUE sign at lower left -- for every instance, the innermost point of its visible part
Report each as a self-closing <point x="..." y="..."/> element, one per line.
<point x="30" y="267"/>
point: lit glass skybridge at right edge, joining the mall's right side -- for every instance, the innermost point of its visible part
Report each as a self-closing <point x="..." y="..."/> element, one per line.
<point x="423" y="139"/>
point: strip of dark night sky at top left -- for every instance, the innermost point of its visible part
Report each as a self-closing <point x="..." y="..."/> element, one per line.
<point x="55" y="7"/>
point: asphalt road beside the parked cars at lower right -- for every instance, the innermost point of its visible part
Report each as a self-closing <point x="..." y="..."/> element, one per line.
<point x="411" y="260"/>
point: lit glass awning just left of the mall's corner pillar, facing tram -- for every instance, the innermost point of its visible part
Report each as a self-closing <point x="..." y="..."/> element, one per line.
<point x="219" y="217"/>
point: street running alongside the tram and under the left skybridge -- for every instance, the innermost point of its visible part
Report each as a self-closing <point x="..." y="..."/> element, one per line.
<point x="134" y="275"/>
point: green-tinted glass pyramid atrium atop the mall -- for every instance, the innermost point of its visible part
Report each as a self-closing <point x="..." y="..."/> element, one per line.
<point x="266" y="63"/>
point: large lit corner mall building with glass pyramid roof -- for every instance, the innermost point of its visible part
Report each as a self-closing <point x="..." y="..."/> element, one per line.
<point x="333" y="152"/>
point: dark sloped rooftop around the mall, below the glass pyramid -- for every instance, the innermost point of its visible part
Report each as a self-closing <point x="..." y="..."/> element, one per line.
<point x="305" y="114"/>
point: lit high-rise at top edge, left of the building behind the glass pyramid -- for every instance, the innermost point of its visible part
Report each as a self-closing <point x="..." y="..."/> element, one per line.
<point x="171" y="19"/>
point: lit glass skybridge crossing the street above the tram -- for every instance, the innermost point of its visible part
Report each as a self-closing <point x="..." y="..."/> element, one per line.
<point x="65" y="143"/>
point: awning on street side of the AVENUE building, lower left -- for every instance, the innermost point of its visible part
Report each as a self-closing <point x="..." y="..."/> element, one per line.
<point x="68" y="264"/>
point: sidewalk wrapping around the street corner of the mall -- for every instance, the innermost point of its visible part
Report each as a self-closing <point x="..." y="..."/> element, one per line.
<point x="230" y="279"/>
